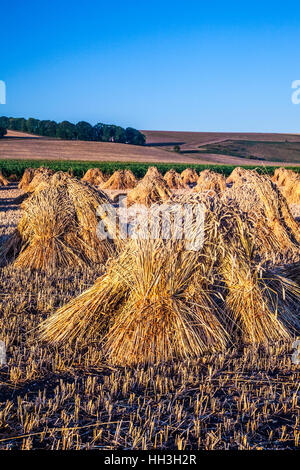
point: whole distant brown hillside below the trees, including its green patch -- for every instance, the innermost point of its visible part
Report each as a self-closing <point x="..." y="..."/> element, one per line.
<point x="159" y="149"/>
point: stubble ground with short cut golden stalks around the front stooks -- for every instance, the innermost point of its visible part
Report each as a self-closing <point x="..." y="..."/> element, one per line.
<point x="66" y="399"/>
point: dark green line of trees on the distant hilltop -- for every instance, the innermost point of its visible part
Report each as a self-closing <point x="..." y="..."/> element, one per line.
<point x="69" y="131"/>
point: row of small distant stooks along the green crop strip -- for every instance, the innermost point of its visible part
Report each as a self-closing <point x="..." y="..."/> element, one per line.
<point x="159" y="186"/>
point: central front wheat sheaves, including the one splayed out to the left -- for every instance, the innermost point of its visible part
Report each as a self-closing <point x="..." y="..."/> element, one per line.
<point x="143" y="308"/>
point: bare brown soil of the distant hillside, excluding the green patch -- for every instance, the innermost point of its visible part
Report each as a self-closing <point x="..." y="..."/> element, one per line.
<point x="18" y="145"/>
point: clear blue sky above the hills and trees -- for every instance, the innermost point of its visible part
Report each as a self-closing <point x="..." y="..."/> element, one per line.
<point x="169" y="65"/>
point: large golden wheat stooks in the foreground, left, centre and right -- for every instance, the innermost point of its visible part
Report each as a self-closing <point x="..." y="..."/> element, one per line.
<point x="157" y="300"/>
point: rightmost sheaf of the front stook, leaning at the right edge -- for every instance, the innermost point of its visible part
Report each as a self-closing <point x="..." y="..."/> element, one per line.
<point x="260" y="306"/>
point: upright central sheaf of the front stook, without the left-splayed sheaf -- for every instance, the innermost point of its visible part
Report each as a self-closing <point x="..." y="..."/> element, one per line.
<point x="161" y="320"/>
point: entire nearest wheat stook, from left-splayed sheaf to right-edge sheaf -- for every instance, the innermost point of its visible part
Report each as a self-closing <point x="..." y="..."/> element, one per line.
<point x="155" y="303"/>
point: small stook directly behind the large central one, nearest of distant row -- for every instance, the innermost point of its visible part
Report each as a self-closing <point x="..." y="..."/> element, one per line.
<point x="149" y="190"/>
